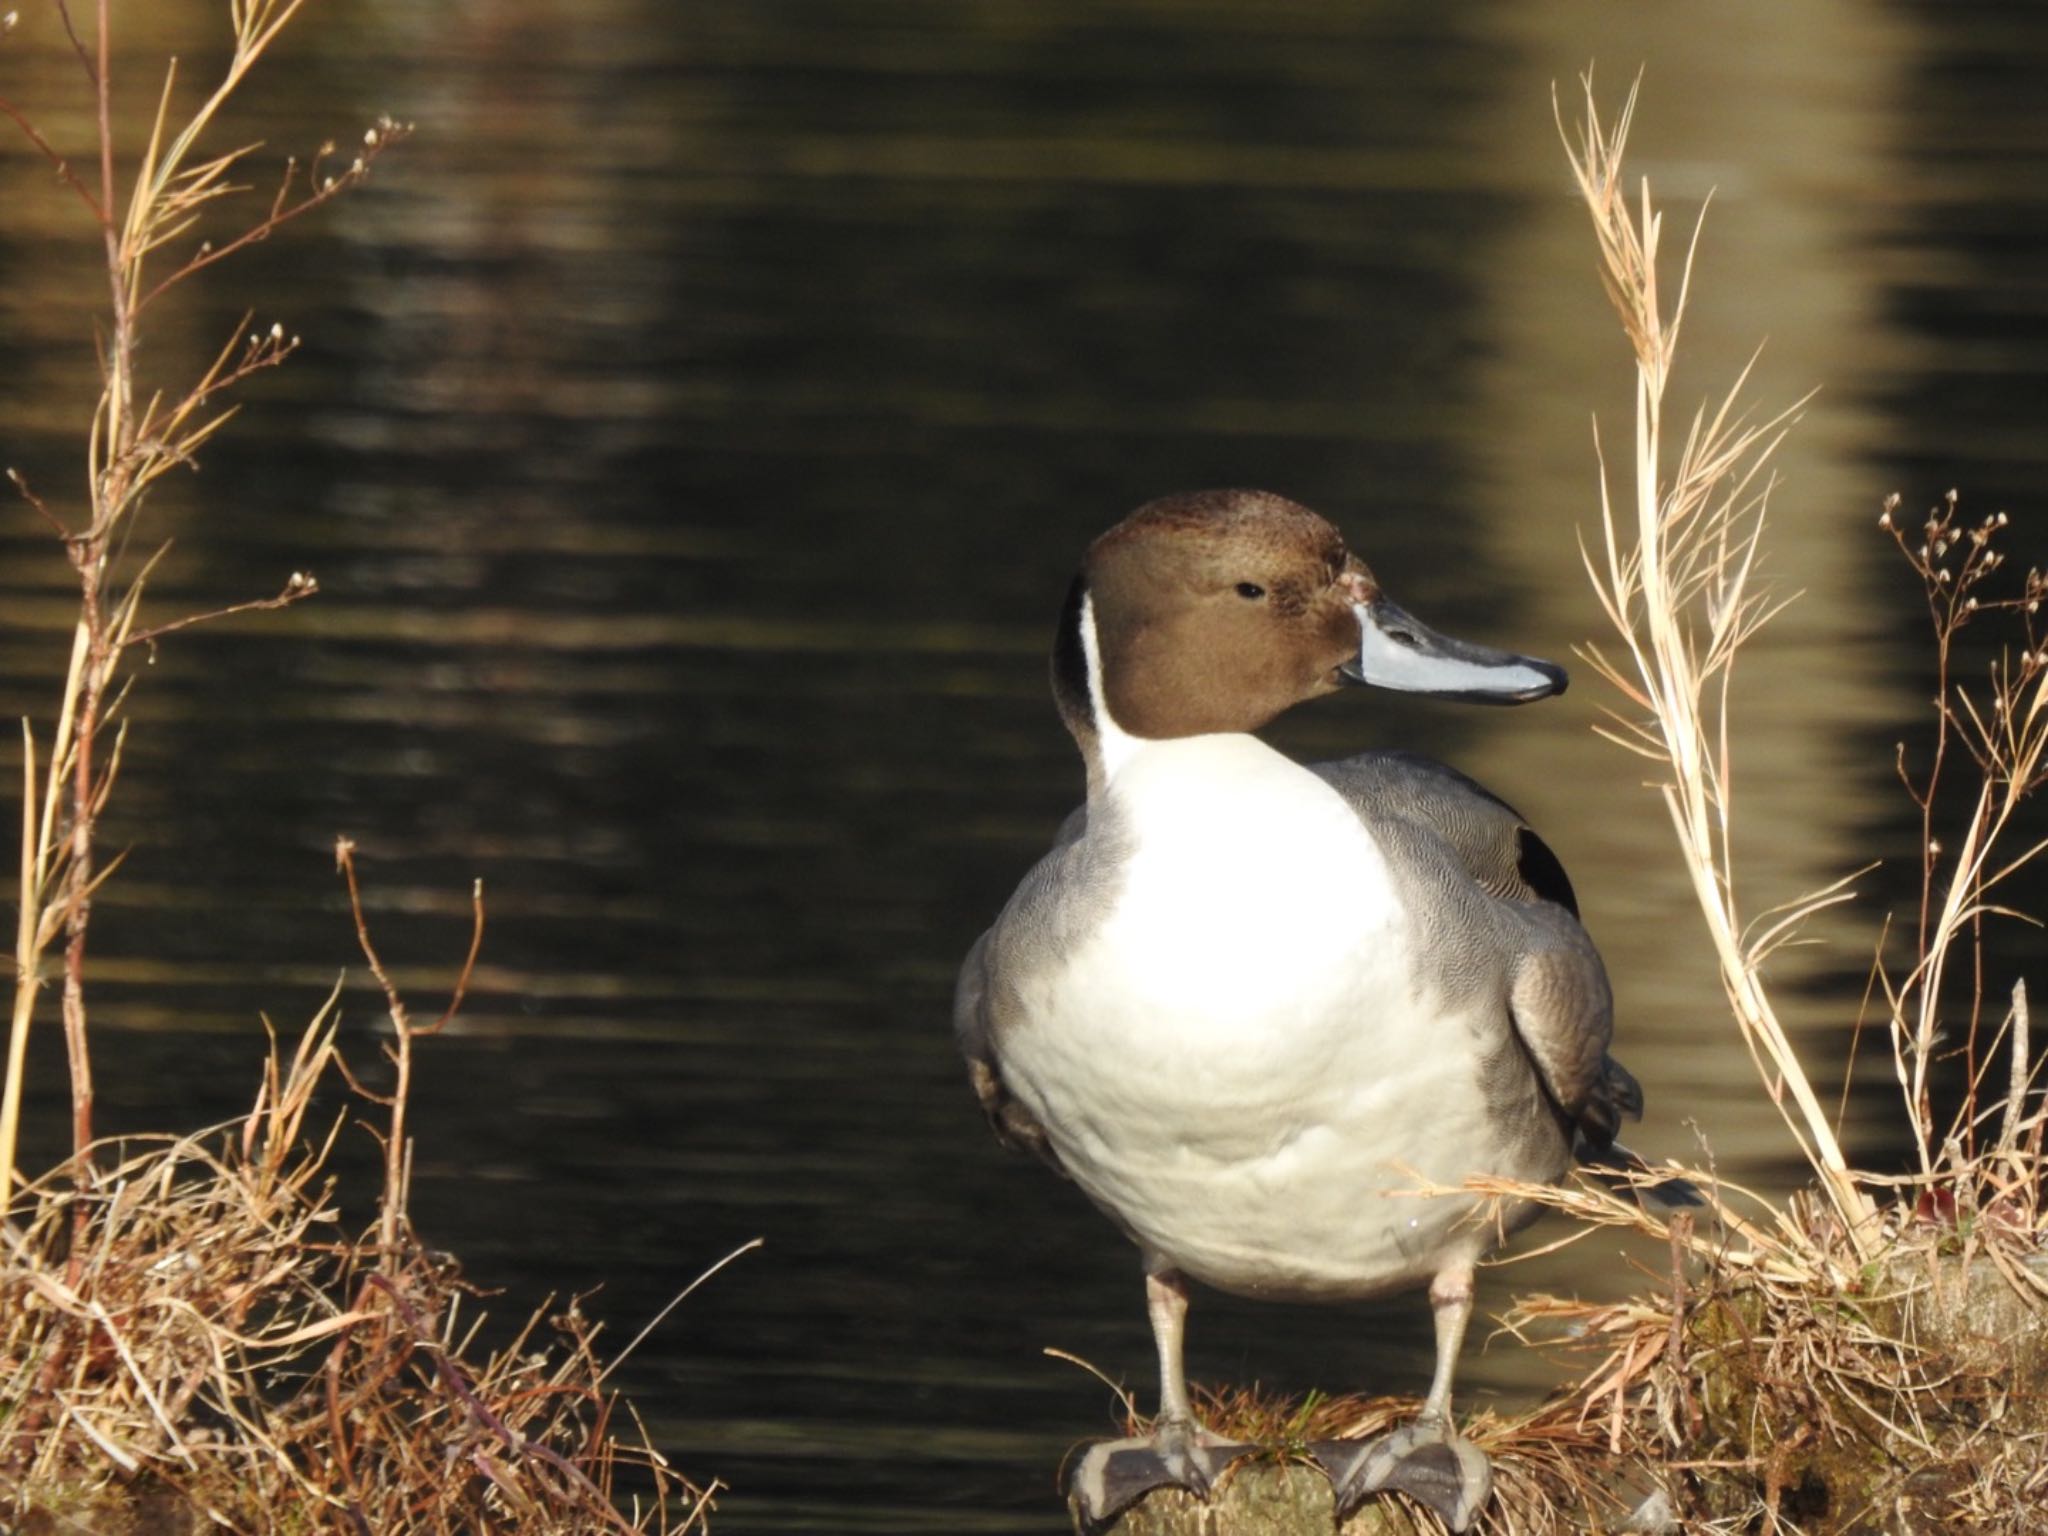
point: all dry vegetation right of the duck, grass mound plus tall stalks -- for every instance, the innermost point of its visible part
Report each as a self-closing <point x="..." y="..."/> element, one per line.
<point x="1871" y="1357"/>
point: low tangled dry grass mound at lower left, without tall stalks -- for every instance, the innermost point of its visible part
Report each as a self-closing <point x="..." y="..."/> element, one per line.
<point x="196" y="1336"/>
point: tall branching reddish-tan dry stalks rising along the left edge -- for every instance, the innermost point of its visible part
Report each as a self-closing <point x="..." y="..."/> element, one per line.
<point x="136" y="437"/>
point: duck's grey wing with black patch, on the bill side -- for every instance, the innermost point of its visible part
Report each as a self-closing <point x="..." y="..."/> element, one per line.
<point x="1558" y="988"/>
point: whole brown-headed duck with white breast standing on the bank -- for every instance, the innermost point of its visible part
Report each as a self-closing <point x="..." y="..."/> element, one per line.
<point x="1252" y="1007"/>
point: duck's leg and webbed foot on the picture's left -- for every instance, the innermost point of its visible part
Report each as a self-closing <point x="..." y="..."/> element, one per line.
<point x="1181" y="1451"/>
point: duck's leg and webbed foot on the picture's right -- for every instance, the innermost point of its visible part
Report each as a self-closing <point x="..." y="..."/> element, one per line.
<point x="1428" y="1459"/>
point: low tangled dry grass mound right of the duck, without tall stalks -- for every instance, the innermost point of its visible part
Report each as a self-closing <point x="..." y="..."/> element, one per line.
<point x="1779" y="1381"/>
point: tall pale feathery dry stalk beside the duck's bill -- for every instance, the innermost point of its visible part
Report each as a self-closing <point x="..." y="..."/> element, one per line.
<point x="1680" y="601"/>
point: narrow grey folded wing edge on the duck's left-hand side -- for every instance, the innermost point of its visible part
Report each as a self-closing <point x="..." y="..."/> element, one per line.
<point x="984" y="994"/>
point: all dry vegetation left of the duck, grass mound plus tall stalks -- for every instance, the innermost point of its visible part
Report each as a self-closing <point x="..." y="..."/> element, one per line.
<point x="191" y="1338"/>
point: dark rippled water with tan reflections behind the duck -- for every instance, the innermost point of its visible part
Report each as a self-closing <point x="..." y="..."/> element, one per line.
<point x="693" y="437"/>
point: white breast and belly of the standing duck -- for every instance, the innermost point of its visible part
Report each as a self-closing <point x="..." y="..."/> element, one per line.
<point x="1242" y="1062"/>
